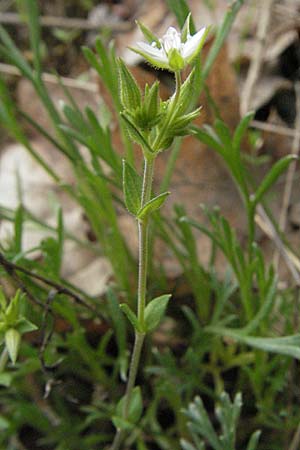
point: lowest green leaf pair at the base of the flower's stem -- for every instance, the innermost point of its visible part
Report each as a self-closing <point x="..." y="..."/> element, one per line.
<point x="134" y="411"/>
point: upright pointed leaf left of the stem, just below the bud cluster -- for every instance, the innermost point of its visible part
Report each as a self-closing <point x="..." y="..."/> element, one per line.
<point x="132" y="188"/>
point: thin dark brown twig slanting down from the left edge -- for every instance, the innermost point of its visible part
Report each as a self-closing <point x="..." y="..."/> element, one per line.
<point x="12" y="268"/>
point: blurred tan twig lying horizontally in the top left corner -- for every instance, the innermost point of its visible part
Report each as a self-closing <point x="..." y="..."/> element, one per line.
<point x="9" y="18"/>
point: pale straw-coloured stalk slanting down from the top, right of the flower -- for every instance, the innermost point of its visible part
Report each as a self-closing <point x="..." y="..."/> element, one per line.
<point x="256" y="61"/>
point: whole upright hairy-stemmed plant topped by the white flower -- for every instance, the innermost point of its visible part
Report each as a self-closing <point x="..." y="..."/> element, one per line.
<point x="152" y="124"/>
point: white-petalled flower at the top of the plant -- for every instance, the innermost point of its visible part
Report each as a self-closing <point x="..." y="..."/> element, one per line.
<point x="171" y="52"/>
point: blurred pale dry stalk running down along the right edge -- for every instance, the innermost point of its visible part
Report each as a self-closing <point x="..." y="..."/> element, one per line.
<point x="291" y="172"/>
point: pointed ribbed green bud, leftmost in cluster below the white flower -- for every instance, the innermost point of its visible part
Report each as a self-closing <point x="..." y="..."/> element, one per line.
<point x="129" y="90"/>
